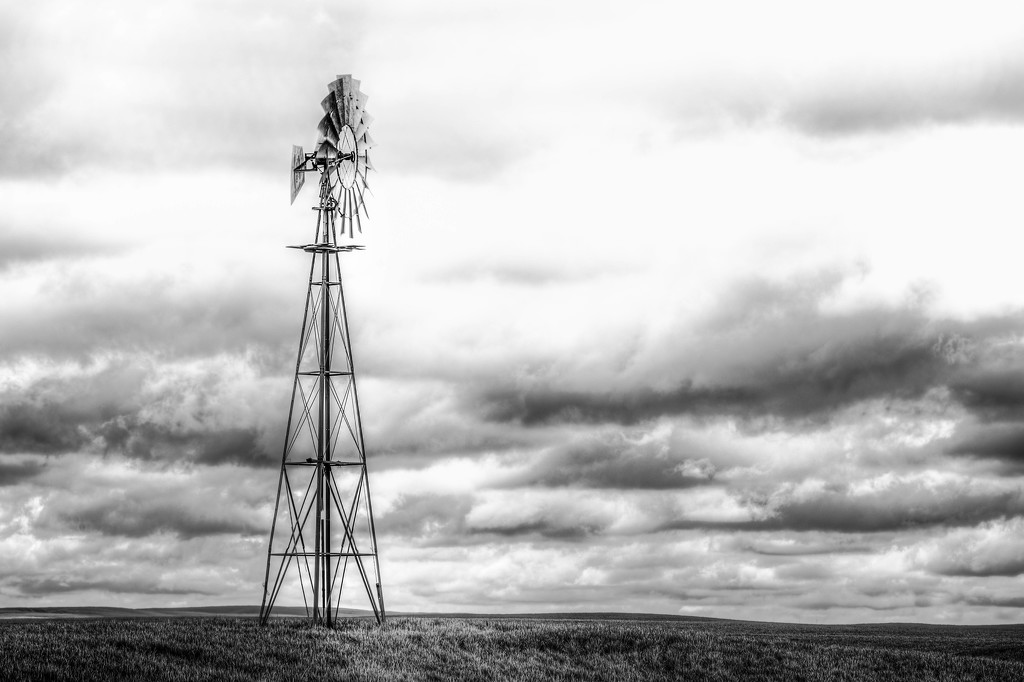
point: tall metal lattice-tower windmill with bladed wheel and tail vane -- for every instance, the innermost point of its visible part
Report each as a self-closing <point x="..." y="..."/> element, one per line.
<point x="323" y="529"/>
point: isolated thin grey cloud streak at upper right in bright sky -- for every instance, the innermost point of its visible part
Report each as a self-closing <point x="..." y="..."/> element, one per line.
<point x="850" y="100"/>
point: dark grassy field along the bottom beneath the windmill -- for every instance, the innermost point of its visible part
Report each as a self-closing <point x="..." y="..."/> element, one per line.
<point x="413" y="649"/>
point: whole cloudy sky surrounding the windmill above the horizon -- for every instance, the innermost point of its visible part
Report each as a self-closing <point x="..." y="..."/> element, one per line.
<point x="676" y="308"/>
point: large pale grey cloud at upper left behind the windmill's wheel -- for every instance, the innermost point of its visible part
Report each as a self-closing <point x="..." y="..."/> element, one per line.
<point x="136" y="97"/>
